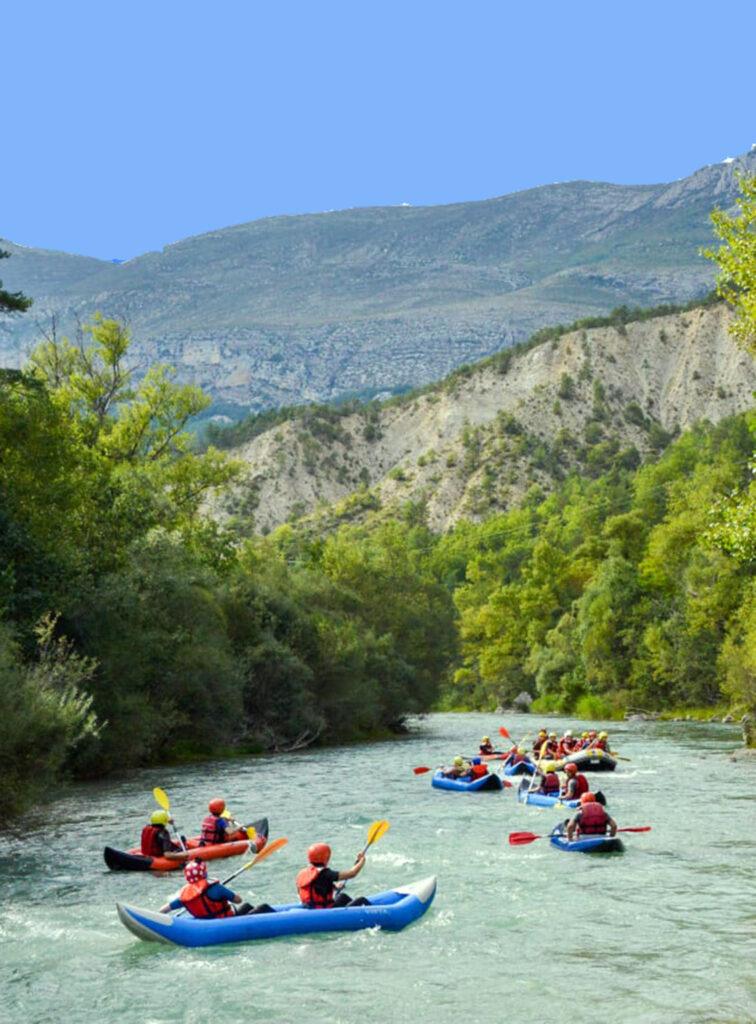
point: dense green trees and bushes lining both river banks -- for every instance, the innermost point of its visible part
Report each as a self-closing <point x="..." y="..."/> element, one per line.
<point x="135" y="628"/>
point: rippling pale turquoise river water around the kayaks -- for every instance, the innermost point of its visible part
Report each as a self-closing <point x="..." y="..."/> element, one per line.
<point x="663" y="933"/>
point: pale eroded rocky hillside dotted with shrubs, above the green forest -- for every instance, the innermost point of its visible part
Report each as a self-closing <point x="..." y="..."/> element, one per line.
<point x="479" y="441"/>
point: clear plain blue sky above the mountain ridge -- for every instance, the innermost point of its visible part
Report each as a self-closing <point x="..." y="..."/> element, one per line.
<point x="130" y="126"/>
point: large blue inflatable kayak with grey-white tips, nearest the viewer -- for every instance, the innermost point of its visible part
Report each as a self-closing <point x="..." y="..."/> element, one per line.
<point x="391" y="911"/>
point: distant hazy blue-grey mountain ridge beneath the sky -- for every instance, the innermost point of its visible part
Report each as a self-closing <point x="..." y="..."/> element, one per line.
<point x="290" y="310"/>
